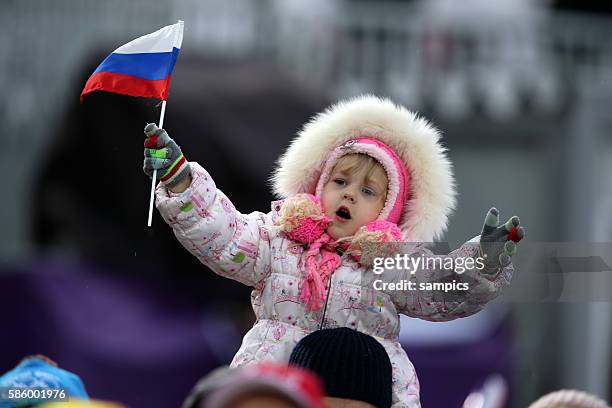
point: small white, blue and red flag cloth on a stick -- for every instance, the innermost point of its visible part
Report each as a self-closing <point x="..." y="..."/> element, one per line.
<point x="141" y="67"/>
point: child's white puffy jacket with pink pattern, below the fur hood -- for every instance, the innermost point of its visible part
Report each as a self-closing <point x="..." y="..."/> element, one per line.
<point x="248" y="248"/>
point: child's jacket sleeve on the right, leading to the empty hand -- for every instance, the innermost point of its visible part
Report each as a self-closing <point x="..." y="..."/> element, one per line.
<point x="443" y="288"/>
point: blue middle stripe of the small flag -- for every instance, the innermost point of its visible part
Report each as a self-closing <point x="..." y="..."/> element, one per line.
<point x="151" y="66"/>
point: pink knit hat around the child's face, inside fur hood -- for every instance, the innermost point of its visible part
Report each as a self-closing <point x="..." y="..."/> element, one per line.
<point x="398" y="188"/>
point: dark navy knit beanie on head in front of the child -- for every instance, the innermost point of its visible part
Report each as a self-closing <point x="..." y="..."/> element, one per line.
<point x="351" y="364"/>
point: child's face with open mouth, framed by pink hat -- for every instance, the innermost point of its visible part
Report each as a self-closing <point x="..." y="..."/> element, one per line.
<point x="353" y="196"/>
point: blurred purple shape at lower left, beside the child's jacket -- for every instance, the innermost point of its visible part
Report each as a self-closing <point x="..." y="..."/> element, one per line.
<point x="128" y="340"/>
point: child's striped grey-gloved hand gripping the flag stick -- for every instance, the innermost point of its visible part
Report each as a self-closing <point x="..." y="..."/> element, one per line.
<point x="162" y="153"/>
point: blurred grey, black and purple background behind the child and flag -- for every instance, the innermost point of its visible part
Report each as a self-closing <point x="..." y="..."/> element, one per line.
<point x="521" y="89"/>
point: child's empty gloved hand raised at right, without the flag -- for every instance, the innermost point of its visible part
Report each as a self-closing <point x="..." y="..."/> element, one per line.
<point x="498" y="242"/>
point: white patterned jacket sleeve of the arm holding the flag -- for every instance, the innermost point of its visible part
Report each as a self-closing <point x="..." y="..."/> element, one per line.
<point x="207" y="224"/>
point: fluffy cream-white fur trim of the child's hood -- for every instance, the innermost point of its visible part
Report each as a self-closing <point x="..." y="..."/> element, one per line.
<point x="414" y="139"/>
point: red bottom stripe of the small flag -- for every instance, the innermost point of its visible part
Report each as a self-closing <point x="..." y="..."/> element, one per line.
<point x="127" y="85"/>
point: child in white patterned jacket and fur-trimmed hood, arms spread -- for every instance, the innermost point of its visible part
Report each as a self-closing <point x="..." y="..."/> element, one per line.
<point x="364" y="171"/>
